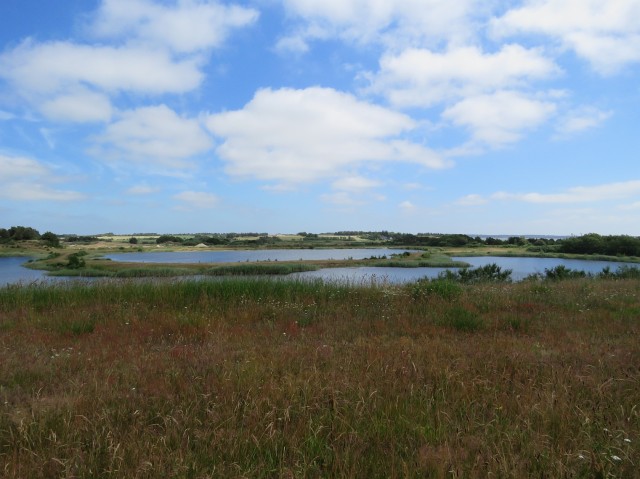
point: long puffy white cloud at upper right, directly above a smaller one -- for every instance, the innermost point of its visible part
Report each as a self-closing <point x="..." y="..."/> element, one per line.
<point x="420" y="77"/>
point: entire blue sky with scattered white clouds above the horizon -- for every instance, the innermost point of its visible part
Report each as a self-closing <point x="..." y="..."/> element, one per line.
<point x="493" y="117"/>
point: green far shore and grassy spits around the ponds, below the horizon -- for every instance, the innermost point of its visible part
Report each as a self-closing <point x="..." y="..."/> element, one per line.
<point x="75" y="255"/>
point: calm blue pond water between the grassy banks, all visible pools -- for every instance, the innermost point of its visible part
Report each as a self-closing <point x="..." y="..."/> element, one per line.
<point x="11" y="270"/>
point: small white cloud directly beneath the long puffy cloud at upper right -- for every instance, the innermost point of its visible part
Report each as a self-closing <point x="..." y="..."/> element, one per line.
<point x="500" y="118"/>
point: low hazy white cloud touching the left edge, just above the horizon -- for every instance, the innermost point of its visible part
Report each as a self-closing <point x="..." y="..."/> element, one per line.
<point x="24" y="179"/>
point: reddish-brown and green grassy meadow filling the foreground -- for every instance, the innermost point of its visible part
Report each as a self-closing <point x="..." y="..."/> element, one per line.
<point x="256" y="378"/>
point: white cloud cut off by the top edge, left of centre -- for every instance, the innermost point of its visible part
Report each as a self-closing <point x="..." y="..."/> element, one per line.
<point x="184" y="26"/>
